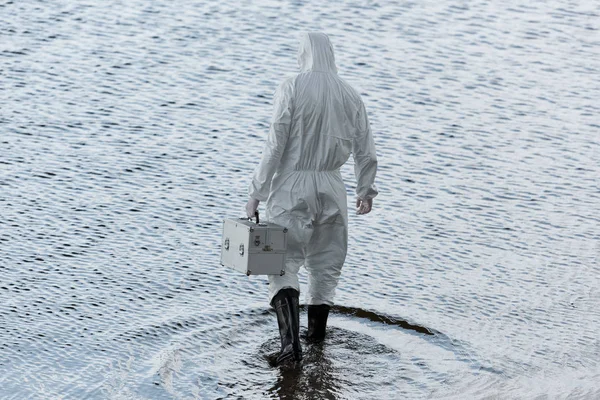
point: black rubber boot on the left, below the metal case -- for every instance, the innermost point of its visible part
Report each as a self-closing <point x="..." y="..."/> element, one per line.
<point x="286" y="305"/>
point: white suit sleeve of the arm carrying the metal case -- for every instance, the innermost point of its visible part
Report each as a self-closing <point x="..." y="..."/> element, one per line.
<point x="276" y="141"/>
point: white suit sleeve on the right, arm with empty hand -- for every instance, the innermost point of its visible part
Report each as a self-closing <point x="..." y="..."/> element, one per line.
<point x="365" y="157"/>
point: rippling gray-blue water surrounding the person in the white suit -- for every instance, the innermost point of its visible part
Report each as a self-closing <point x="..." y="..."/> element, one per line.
<point x="130" y="129"/>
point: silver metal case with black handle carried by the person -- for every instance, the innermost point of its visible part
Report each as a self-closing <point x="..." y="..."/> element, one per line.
<point x="253" y="248"/>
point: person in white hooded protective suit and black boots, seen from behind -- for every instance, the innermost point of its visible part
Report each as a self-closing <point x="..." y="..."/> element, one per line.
<point x="318" y="121"/>
